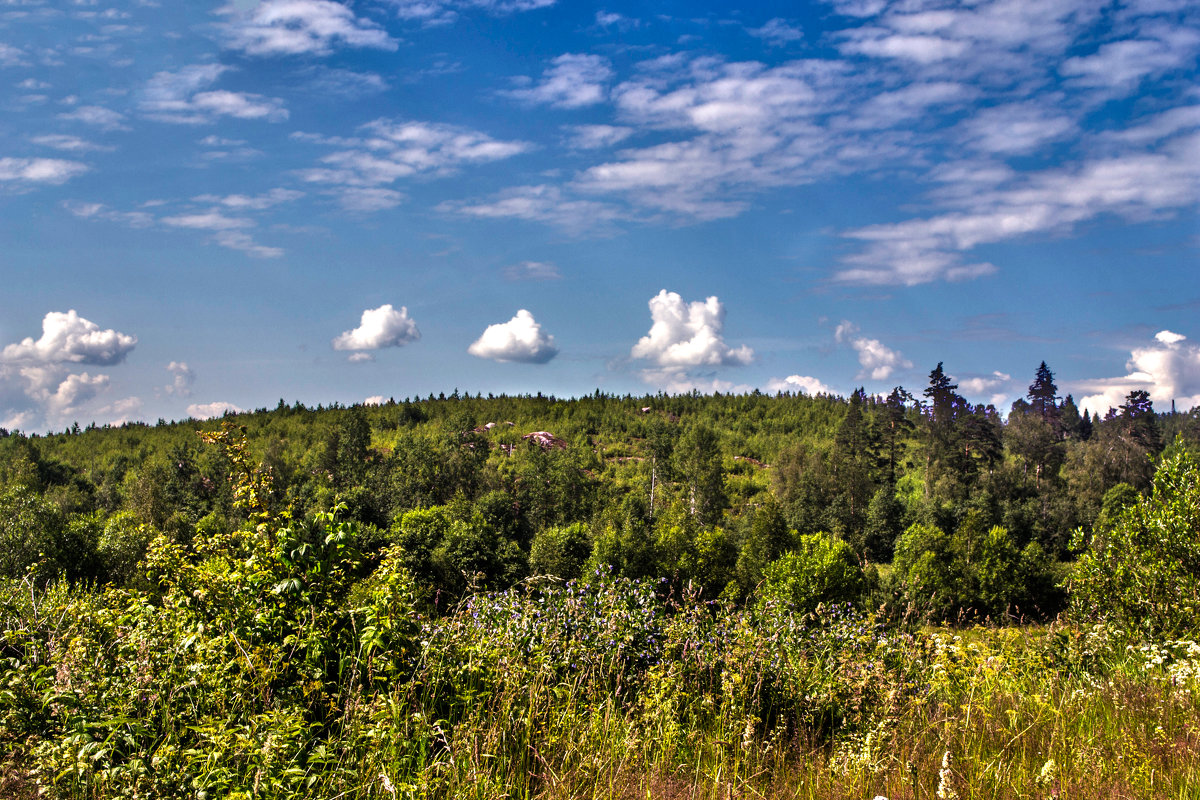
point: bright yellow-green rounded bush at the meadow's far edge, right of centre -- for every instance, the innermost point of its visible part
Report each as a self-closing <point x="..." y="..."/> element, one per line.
<point x="820" y="570"/>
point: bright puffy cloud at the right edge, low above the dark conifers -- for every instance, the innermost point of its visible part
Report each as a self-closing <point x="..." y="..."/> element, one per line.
<point x="1168" y="369"/>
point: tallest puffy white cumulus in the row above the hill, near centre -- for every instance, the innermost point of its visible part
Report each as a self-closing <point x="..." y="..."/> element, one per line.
<point x="688" y="335"/>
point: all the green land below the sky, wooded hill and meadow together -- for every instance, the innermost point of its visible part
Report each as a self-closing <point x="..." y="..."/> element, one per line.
<point x="608" y="597"/>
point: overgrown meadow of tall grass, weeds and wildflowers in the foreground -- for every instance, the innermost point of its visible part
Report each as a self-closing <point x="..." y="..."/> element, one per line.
<point x="593" y="691"/>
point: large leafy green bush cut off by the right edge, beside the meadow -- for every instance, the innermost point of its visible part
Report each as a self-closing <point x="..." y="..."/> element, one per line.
<point x="1141" y="570"/>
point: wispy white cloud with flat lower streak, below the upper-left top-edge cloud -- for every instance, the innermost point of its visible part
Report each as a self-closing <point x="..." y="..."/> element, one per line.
<point x="177" y="98"/>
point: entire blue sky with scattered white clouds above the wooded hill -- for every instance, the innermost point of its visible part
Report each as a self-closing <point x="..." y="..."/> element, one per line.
<point x="212" y="207"/>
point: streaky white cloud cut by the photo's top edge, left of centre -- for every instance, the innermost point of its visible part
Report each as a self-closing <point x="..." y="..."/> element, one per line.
<point x="302" y="27"/>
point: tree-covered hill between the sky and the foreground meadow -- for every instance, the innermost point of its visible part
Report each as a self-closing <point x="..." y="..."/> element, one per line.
<point x="962" y="508"/>
